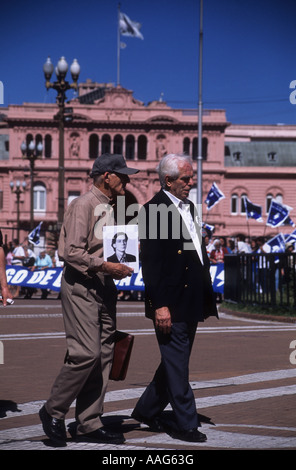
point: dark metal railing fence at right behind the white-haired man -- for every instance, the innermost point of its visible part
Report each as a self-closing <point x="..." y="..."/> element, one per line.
<point x="268" y="280"/>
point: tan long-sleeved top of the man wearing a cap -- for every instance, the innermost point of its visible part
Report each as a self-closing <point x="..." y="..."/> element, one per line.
<point x="81" y="237"/>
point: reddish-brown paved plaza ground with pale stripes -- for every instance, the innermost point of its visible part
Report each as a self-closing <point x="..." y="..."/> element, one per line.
<point x="241" y="371"/>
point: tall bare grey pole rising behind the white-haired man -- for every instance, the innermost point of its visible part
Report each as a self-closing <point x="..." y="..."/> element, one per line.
<point x="199" y="157"/>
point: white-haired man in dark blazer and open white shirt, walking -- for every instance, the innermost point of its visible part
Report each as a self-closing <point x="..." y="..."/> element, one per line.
<point x="178" y="295"/>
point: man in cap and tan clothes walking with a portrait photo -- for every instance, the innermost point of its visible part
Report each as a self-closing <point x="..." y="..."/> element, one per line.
<point x="88" y="296"/>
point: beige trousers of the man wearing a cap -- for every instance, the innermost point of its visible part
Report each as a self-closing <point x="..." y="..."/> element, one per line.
<point x="89" y="312"/>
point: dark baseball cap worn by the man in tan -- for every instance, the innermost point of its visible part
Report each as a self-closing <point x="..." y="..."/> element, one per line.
<point x="111" y="163"/>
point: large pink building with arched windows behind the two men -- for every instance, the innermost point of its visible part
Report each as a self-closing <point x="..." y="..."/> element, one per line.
<point x="256" y="161"/>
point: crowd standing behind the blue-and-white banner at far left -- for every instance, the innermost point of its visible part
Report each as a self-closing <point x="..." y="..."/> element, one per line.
<point x="23" y="254"/>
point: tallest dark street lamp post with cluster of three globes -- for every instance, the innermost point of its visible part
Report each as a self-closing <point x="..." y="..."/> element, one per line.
<point x="61" y="86"/>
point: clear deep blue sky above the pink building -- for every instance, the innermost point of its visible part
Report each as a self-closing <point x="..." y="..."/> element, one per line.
<point x="249" y="52"/>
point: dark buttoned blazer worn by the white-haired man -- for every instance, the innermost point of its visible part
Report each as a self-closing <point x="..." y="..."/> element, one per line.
<point x="173" y="275"/>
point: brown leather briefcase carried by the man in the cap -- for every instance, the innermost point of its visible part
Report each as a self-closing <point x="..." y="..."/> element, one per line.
<point x="122" y="353"/>
